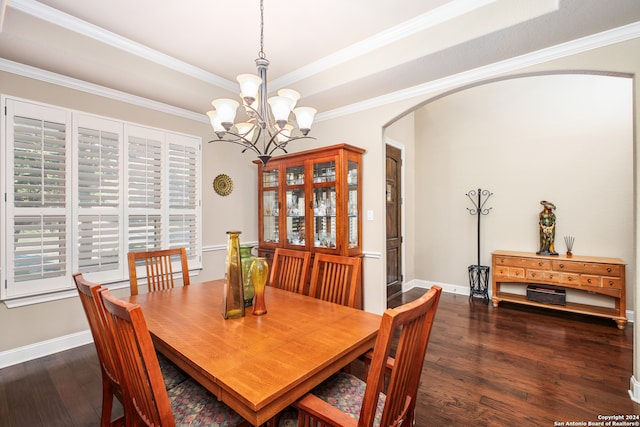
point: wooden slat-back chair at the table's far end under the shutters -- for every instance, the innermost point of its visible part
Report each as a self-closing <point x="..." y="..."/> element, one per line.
<point x="158" y="267"/>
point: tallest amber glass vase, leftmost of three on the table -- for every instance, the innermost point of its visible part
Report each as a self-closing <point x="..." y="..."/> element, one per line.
<point x="233" y="304"/>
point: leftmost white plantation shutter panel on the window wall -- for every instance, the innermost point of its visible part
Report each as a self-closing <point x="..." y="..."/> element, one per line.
<point x="37" y="198"/>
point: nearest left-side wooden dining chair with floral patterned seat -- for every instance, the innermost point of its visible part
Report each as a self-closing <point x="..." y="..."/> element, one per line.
<point x="147" y="402"/>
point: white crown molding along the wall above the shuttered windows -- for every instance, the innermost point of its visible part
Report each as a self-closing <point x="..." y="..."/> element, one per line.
<point x="71" y="83"/>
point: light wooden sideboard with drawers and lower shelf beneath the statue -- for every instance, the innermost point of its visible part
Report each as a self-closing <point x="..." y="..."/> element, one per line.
<point x="595" y="275"/>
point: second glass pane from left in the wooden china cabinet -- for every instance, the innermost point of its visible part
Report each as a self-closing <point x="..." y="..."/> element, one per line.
<point x="295" y="202"/>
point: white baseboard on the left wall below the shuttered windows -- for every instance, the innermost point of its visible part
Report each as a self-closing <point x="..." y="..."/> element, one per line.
<point x="44" y="348"/>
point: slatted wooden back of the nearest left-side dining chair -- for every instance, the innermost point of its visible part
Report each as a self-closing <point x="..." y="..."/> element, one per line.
<point x="146" y="398"/>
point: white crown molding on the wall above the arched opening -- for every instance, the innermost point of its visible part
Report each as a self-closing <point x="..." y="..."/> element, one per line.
<point x="606" y="38"/>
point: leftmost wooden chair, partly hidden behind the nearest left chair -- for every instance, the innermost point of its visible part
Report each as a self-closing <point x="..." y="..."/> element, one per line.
<point x="110" y="383"/>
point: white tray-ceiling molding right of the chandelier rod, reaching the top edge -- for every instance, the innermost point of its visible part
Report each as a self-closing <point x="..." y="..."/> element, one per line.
<point x="444" y="13"/>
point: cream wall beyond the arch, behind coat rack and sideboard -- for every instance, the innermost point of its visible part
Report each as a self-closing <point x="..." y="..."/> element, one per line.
<point x="564" y="138"/>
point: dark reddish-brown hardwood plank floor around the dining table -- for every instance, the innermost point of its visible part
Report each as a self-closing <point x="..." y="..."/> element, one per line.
<point x="510" y="366"/>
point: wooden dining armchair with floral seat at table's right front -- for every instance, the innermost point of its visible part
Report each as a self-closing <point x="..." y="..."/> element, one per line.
<point x="388" y="397"/>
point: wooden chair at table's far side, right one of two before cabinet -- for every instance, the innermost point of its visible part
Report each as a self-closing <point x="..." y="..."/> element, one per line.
<point x="336" y="279"/>
